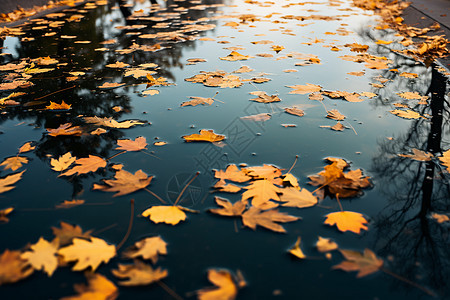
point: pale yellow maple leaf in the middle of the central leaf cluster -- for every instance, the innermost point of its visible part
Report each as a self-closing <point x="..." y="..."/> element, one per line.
<point x="262" y="191"/>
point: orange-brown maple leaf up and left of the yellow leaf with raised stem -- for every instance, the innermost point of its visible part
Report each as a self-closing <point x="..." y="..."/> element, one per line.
<point x="125" y="183"/>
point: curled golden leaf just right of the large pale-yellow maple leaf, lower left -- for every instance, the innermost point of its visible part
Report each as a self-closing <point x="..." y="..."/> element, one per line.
<point x="148" y="248"/>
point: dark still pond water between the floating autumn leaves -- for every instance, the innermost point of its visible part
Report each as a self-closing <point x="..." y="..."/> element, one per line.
<point x="405" y="192"/>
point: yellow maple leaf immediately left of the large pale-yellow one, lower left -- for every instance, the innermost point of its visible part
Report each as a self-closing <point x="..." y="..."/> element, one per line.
<point x="43" y="255"/>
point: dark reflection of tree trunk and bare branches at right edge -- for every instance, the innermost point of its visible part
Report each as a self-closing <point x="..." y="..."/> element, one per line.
<point x="418" y="244"/>
